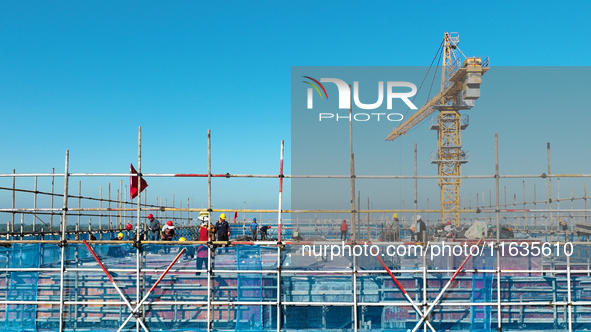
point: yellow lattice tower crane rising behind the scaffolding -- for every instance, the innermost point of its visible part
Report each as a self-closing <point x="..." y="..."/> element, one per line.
<point x="460" y="87"/>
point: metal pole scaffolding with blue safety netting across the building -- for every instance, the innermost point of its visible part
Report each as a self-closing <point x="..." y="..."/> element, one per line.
<point x="50" y="280"/>
